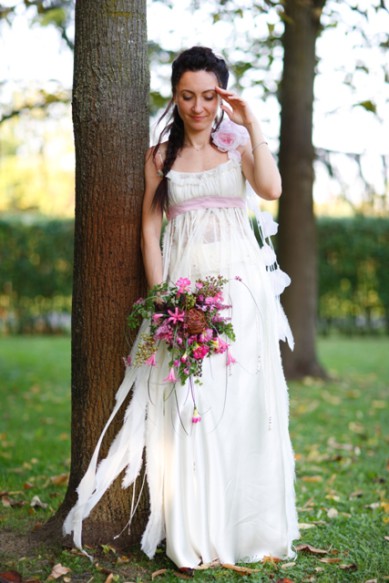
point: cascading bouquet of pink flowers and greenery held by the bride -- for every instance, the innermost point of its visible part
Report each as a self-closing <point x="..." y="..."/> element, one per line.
<point x="189" y="322"/>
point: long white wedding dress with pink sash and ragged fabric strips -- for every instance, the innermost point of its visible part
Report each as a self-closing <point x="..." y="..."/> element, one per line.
<point x="221" y="489"/>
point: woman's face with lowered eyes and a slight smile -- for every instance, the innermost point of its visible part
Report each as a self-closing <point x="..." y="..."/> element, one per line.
<point x="197" y="100"/>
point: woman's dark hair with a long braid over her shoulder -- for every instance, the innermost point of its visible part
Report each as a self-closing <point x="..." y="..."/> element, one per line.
<point x="195" y="59"/>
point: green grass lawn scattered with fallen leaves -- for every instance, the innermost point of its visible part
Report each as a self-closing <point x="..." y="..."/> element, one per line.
<point x="339" y="431"/>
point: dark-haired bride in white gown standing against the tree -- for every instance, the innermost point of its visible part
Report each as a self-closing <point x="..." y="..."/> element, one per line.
<point x="221" y="489"/>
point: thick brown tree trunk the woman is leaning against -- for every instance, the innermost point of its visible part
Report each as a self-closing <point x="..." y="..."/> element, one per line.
<point x="110" y="117"/>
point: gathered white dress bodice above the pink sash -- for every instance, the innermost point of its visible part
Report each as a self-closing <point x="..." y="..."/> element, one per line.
<point x="225" y="180"/>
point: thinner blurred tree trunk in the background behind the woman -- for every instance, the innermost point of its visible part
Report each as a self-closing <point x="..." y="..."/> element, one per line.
<point x="297" y="235"/>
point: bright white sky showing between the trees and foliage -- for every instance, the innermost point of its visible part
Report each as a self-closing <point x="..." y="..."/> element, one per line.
<point x="34" y="55"/>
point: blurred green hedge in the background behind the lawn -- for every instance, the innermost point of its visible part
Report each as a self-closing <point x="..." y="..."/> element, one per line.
<point x="36" y="275"/>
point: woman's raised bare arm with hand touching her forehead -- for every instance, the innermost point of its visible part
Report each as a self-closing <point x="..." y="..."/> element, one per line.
<point x="258" y="164"/>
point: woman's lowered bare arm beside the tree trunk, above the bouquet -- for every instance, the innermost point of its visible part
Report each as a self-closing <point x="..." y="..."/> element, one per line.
<point x="151" y="225"/>
